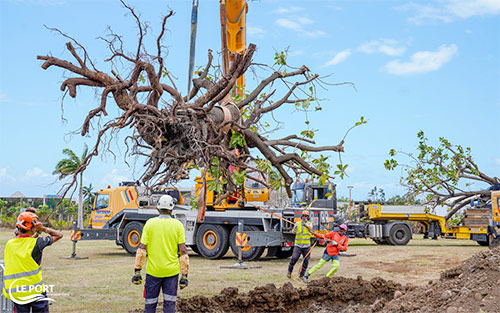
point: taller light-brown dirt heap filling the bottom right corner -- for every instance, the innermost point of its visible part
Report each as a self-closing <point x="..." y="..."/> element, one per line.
<point x="473" y="286"/>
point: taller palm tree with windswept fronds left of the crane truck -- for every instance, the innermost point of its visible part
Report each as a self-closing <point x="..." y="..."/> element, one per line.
<point x="67" y="167"/>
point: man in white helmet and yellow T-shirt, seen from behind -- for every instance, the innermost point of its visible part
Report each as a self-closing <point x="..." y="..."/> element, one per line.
<point x="163" y="237"/>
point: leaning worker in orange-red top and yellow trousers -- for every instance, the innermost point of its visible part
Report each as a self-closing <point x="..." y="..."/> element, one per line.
<point x="338" y="241"/>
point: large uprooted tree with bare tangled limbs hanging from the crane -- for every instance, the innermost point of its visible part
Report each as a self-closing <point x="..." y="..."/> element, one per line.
<point x="176" y="133"/>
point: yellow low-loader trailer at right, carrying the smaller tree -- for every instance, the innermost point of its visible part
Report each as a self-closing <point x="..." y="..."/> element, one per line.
<point x="481" y="223"/>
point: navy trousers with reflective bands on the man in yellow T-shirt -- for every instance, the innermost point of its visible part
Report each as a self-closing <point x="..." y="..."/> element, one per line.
<point x="168" y="285"/>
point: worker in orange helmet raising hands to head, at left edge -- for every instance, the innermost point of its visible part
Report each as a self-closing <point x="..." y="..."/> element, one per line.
<point x="23" y="282"/>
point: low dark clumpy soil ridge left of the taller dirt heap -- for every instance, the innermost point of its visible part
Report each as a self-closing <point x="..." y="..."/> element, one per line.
<point x="326" y="294"/>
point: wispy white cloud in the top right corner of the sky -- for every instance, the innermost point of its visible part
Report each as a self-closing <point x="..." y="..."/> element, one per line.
<point x="450" y="10"/>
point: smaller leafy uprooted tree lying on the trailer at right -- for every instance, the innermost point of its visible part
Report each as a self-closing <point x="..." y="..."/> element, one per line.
<point x="445" y="174"/>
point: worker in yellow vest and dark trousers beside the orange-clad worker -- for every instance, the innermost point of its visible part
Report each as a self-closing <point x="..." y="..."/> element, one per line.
<point x="302" y="230"/>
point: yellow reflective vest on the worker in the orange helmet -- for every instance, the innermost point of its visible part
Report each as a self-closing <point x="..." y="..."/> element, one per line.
<point x="22" y="276"/>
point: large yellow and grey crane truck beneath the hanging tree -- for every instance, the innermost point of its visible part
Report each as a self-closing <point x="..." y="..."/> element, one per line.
<point x="119" y="214"/>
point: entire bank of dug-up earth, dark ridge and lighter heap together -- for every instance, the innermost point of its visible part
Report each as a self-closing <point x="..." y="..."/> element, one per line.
<point x="473" y="286"/>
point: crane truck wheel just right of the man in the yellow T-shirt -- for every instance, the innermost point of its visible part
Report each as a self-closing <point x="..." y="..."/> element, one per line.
<point x="212" y="241"/>
